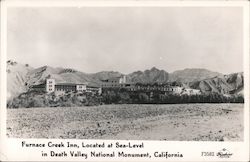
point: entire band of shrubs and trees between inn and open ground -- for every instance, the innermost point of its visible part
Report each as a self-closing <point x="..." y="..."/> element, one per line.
<point x="115" y="96"/>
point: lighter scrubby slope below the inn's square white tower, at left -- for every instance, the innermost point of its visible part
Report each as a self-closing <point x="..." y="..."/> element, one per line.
<point x="42" y="99"/>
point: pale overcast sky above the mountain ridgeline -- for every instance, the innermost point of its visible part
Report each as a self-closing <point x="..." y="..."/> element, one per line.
<point x="93" y="39"/>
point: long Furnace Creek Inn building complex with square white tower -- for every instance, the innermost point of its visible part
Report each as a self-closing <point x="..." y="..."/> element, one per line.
<point x="50" y="86"/>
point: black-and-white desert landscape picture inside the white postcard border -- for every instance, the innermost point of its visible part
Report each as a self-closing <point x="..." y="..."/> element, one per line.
<point x="149" y="73"/>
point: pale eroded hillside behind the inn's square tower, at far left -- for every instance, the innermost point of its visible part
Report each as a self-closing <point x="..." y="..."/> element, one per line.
<point x="20" y="77"/>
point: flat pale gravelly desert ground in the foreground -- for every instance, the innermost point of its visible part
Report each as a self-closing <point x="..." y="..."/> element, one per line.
<point x="177" y="122"/>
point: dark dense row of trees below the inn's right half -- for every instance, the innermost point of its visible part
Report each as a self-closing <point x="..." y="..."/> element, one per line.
<point x="117" y="96"/>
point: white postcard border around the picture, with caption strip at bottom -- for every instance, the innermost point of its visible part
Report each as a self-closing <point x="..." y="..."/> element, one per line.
<point x="11" y="149"/>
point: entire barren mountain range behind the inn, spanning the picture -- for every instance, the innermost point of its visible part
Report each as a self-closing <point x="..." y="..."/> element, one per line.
<point x="20" y="77"/>
